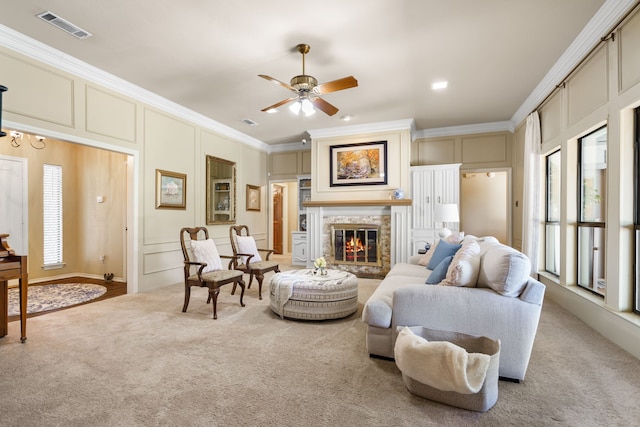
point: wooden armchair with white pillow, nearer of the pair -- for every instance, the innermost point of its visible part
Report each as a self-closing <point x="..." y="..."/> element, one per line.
<point x="203" y="257"/>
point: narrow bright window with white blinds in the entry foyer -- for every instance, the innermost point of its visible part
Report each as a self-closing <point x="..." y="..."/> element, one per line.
<point x="52" y="215"/>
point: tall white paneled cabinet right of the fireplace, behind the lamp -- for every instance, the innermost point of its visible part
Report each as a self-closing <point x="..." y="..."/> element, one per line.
<point x="430" y="186"/>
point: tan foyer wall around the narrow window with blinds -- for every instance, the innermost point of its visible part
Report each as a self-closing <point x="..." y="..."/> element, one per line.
<point x="90" y="229"/>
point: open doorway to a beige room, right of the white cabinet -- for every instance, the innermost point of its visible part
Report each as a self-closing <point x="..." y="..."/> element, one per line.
<point x="485" y="203"/>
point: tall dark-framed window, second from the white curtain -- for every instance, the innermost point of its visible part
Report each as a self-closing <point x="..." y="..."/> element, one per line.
<point x="592" y="170"/>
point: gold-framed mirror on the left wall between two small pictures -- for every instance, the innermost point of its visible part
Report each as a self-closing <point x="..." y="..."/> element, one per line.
<point x="221" y="191"/>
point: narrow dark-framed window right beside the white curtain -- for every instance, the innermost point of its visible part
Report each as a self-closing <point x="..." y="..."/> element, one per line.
<point x="552" y="215"/>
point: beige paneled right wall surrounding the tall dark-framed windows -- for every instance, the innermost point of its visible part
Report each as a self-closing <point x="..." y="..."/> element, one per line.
<point x="603" y="90"/>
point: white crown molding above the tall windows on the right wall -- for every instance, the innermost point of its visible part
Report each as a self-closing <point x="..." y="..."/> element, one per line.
<point x="611" y="12"/>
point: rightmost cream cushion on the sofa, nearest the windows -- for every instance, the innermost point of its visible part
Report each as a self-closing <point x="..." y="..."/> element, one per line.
<point x="505" y="270"/>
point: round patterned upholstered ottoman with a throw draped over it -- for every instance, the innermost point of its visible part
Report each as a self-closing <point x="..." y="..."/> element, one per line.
<point x="308" y="295"/>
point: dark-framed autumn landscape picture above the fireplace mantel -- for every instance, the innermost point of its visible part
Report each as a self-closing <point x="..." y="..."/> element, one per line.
<point x="358" y="164"/>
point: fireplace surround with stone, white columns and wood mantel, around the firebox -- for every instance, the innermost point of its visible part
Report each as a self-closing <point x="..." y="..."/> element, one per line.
<point x="391" y="215"/>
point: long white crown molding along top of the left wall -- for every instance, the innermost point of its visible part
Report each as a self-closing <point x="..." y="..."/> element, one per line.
<point x="34" y="49"/>
